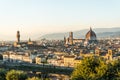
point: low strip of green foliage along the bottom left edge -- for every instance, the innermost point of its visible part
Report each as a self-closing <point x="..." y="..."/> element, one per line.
<point x="17" y="75"/>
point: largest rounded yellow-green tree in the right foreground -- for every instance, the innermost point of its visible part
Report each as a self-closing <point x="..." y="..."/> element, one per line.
<point x="91" y="68"/>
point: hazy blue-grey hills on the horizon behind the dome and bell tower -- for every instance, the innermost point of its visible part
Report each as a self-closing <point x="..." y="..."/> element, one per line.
<point x="100" y="32"/>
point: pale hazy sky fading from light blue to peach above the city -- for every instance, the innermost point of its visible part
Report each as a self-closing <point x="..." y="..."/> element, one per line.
<point x="36" y="17"/>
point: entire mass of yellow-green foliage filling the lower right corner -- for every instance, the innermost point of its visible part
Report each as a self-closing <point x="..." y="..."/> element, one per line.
<point x="95" y="68"/>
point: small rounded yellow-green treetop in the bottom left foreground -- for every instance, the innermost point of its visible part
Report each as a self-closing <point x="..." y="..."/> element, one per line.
<point x="16" y="75"/>
